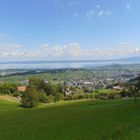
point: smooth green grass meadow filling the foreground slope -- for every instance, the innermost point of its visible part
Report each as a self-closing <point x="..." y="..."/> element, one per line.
<point x="73" y="120"/>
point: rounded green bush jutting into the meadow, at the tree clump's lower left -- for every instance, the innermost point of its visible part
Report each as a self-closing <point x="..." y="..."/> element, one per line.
<point x="30" y="98"/>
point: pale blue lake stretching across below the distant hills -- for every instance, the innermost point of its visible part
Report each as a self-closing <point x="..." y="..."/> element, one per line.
<point x="56" y="65"/>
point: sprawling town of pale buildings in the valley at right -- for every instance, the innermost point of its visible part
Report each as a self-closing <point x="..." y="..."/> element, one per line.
<point x="107" y="80"/>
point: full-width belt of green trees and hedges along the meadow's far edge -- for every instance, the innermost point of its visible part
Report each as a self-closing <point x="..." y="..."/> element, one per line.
<point x="40" y="91"/>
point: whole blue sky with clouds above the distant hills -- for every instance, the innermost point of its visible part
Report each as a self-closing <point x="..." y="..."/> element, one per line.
<point x="69" y="29"/>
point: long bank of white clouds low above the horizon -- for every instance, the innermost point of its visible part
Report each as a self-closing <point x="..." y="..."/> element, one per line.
<point x="66" y="52"/>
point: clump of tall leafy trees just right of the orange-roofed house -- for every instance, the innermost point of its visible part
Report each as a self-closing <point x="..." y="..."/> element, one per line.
<point x="40" y="91"/>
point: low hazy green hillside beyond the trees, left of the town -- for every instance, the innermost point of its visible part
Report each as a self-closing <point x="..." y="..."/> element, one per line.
<point x="52" y="75"/>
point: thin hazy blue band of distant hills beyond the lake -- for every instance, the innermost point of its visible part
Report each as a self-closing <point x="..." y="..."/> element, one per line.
<point x="128" y="59"/>
